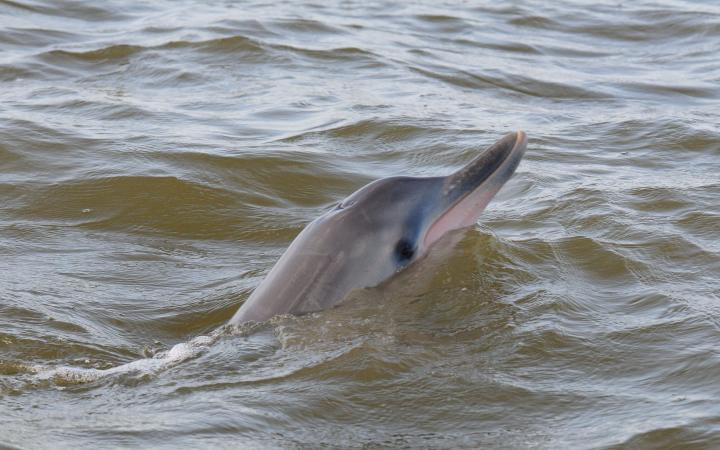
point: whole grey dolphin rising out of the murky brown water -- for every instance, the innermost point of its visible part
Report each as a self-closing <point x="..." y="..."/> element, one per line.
<point x="376" y="232"/>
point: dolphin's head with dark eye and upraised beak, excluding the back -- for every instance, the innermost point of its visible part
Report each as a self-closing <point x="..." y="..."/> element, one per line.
<point x="394" y="221"/>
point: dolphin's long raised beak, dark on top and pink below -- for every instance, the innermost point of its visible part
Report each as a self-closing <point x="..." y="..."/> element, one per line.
<point x="451" y="218"/>
